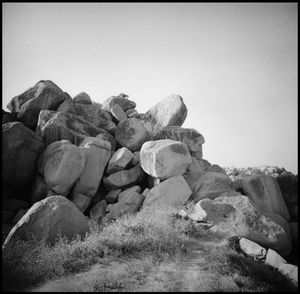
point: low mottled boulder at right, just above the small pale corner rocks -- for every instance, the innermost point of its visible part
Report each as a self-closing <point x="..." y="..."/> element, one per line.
<point x="244" y="219"/>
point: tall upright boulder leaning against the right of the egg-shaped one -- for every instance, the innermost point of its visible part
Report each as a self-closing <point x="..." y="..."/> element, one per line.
<point x="97" y="154"/>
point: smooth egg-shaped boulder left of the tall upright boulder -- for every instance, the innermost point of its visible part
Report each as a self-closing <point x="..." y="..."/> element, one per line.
<point x="61" y="164"/>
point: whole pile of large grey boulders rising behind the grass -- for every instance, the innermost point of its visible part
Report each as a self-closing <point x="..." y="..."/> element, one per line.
<point x="67" y="159"/>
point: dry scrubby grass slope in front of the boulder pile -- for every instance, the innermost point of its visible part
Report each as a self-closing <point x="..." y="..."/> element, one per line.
<point x="144" y="251"/>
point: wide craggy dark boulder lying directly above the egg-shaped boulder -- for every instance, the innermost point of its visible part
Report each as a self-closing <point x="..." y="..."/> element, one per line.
<point x="54" y="126"/>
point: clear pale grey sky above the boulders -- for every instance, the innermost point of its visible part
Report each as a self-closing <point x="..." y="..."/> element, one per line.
<point x="235" y="65"/>
